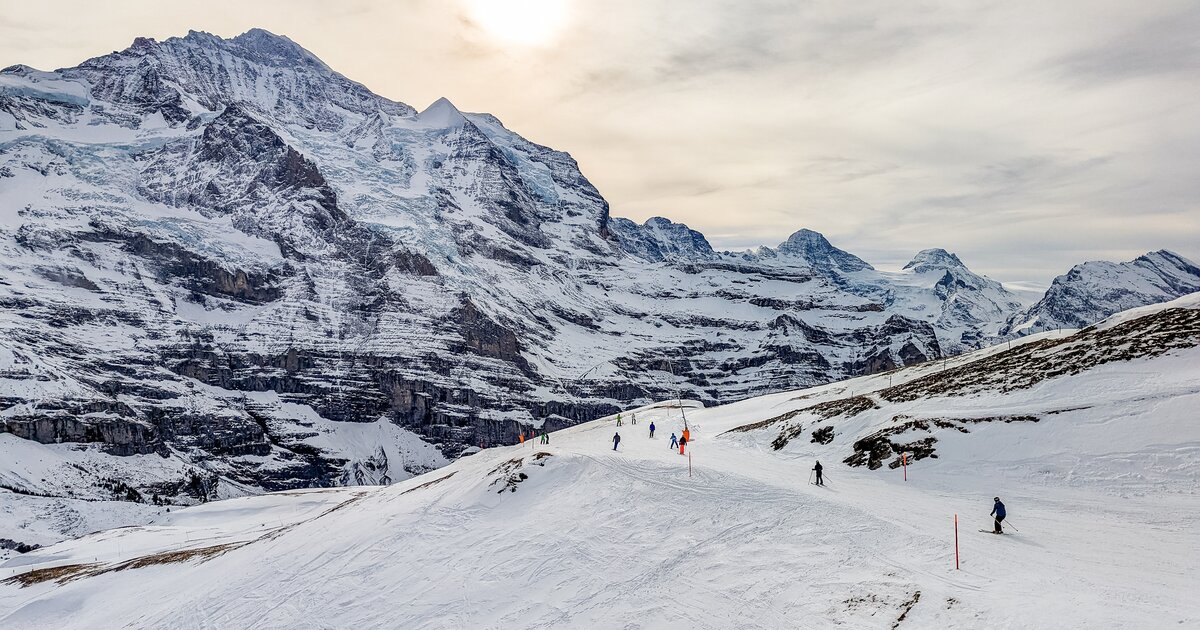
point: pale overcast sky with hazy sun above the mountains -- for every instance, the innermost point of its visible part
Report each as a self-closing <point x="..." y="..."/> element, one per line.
<point x="1025" y="136"/>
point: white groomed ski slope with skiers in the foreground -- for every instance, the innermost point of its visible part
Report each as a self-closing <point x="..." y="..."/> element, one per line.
<point x="1102" y="495"/>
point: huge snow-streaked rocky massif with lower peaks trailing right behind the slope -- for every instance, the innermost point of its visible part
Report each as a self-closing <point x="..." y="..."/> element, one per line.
<point x="227" y="259"/>
